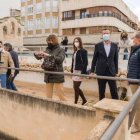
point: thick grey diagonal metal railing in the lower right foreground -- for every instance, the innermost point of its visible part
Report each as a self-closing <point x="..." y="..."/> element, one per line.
<point x="108" y="135"/>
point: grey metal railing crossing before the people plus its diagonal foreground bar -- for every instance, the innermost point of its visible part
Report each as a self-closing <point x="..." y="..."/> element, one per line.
<point x="108" y="135"/>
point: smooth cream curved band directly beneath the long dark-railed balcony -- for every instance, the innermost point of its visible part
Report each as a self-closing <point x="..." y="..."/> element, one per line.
<point x="96" y="21"/>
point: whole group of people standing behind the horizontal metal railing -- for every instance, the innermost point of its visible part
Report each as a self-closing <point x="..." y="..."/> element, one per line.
<point x="104" y="63"/>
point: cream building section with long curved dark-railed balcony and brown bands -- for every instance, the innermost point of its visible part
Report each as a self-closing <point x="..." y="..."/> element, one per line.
<point x="88" y="17"/>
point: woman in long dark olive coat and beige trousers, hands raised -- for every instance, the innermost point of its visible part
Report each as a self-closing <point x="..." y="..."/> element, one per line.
<point x="53" y="52"/>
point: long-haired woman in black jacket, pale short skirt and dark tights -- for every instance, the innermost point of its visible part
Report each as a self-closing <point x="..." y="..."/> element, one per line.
<point x="79" y="66"/>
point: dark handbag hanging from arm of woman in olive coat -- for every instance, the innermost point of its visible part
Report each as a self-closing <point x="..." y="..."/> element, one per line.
<point x="49" y="64"/>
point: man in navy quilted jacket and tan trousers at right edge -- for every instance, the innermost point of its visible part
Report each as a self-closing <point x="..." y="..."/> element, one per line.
<point x="134" y="73"/>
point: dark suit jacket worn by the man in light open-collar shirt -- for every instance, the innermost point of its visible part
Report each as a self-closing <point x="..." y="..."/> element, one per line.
<point x="100" y="60"/>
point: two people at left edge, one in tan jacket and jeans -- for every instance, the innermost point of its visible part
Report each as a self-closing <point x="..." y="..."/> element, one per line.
<point x="8" y="58"/>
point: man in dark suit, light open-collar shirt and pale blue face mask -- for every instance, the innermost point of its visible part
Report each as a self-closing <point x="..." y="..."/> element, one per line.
<point x="105" y="63"/>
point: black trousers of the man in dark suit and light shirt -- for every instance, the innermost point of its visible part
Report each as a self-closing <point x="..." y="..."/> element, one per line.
<point x="112" y="85"/>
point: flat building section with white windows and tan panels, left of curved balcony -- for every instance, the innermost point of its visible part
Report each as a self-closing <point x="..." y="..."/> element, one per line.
<point x="40" y="17"/>
